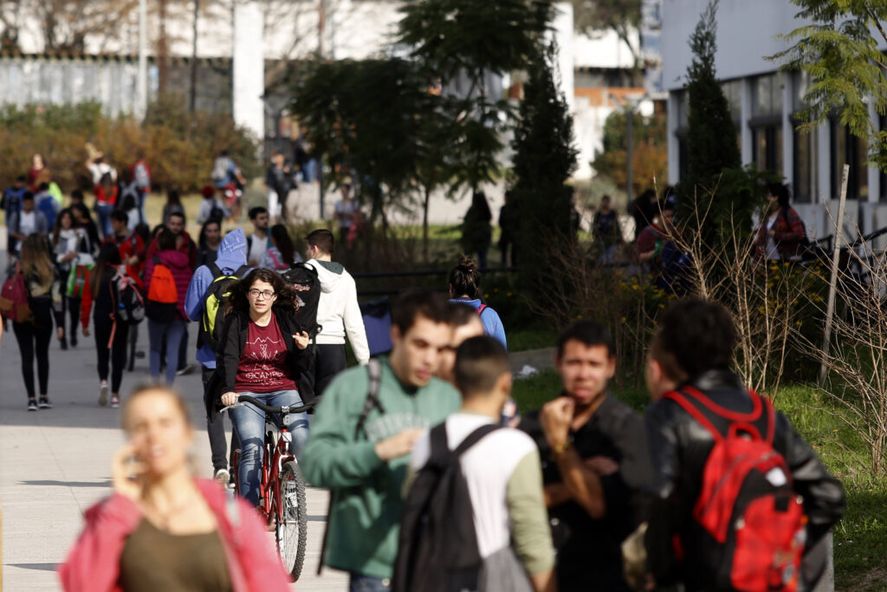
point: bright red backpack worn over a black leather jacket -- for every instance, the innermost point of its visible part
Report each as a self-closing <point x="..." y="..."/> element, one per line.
<point x="746" y="503"/>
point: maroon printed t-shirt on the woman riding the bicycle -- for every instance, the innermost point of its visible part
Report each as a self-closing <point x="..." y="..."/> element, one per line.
<point x="262" y="366"/>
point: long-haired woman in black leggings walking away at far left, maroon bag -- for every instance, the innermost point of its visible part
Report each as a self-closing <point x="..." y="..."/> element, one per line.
<point x="37" y="275"/>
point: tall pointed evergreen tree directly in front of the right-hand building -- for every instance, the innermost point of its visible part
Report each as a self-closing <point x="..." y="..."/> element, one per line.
<point x="716" y="197"/>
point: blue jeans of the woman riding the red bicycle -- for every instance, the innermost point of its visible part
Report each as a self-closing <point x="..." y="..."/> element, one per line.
<point x="249" y="422"/>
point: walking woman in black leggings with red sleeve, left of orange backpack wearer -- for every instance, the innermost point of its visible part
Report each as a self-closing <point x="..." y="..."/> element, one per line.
<point x="110" y="336"/>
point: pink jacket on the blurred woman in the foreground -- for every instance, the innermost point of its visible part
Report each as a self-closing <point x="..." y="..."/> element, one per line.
<point x="93" y="563"/>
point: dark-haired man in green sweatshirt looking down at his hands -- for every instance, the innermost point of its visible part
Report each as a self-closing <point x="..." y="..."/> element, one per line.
<point x="360" y="440"/>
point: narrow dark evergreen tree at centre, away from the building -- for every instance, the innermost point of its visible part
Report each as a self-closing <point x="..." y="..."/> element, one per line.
<point x="544" y="159"/>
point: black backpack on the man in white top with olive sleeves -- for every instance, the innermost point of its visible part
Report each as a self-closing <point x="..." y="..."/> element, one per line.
<point x="437" y="550"/>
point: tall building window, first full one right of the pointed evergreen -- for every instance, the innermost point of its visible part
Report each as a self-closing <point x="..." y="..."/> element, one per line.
<point x="766" y="123"/>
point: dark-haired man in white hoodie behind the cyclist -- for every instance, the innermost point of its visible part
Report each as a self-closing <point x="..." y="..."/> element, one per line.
<point x="337" y="312"/>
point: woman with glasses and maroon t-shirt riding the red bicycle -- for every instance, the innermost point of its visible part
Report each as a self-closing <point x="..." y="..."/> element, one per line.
<point x="263" y="353"/>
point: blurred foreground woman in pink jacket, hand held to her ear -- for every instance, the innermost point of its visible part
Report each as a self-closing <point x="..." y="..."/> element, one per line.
<point x="162" y="529"/>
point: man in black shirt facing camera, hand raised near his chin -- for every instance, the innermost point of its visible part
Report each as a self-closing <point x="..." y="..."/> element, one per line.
<point x="586" y="439"/>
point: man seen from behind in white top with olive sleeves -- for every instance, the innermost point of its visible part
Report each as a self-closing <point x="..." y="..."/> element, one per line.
<point x="503" y="475"/>
